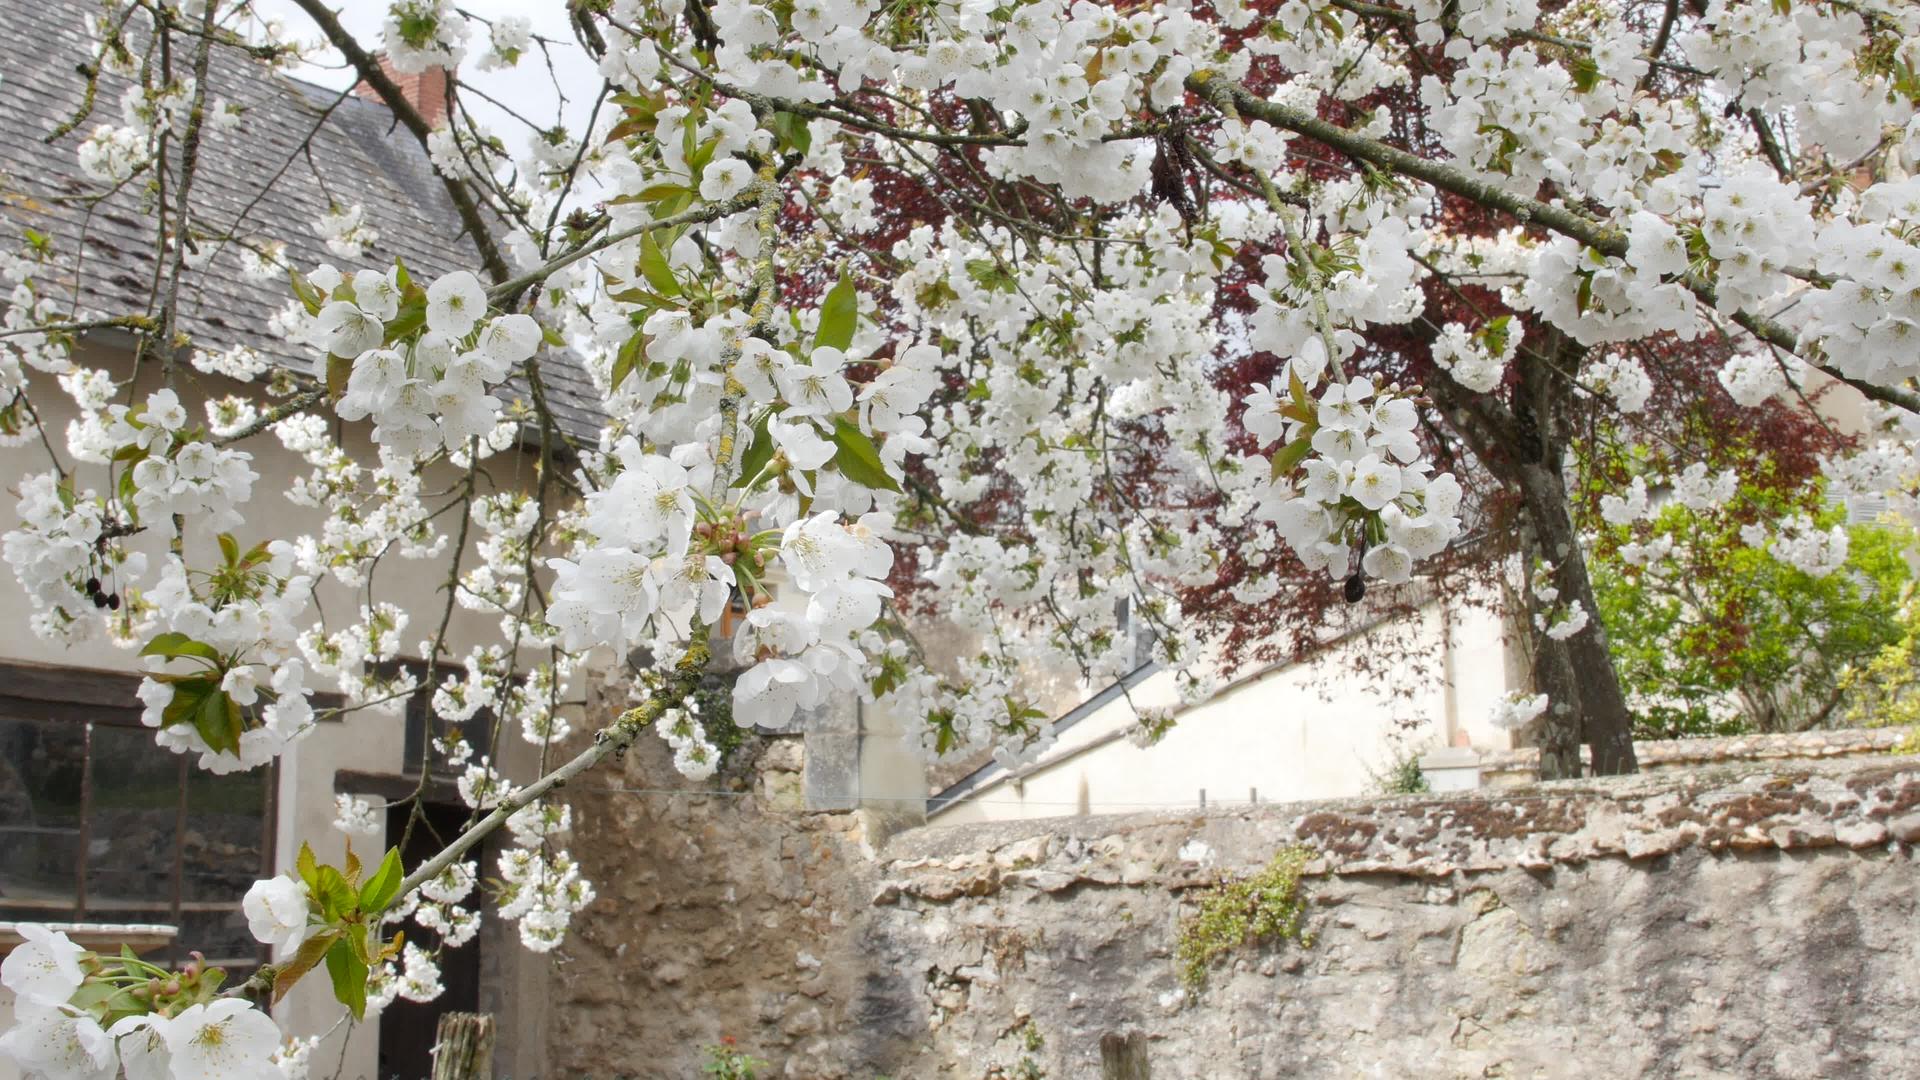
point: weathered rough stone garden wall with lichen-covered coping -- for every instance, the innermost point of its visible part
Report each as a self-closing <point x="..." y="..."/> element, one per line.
<point x="1723" y="923"/>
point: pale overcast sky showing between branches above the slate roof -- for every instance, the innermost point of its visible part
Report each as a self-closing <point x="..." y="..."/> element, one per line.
<point x="529" y="87"/>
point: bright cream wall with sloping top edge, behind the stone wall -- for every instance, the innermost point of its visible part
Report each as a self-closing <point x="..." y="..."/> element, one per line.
<point x="1289" y="733"/>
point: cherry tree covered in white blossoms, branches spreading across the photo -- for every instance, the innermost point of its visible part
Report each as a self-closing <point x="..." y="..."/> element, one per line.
<point x="1024" y="310"/>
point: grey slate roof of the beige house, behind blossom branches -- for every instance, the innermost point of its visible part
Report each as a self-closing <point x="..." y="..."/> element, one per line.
<point x="358" y="153"/>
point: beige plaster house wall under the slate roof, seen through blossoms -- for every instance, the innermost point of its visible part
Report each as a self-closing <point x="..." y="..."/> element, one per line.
<point x="364" y="741"/>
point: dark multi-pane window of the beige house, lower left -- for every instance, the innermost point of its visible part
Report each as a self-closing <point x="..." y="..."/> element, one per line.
<point x="99" y="825"/>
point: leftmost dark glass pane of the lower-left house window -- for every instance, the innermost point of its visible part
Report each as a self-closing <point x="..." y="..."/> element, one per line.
<point x="41" y="768"/>
